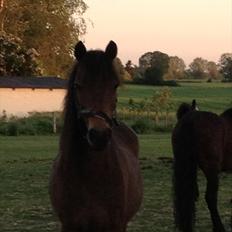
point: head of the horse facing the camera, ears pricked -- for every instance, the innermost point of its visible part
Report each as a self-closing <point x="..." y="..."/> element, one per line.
<point x="94" y="84"/>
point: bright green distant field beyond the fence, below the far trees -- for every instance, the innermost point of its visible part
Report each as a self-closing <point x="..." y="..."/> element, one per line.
<point x="214" y="97"/>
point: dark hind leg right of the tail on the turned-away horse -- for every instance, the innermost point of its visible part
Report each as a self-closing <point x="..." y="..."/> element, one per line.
<point x="211" y="199"/>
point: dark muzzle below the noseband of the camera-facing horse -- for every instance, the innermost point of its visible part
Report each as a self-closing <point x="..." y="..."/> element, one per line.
<point x="98" y="139"/>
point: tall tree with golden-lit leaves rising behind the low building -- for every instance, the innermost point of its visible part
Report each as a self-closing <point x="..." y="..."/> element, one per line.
<point x="51" y="27"/>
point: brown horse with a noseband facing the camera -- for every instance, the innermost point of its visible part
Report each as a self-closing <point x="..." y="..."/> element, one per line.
<point x="96" y="185"/>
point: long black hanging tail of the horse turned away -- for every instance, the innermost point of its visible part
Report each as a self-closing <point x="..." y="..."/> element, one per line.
<point x="185" y="189"/>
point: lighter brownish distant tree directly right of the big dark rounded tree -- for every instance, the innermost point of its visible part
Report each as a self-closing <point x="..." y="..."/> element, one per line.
<point x="176" y="68"/>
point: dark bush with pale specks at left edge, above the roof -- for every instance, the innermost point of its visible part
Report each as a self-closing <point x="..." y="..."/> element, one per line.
<point x="16" y="59"/>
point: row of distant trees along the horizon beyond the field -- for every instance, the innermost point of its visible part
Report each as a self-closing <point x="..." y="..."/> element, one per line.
<point x="159" y="68"/>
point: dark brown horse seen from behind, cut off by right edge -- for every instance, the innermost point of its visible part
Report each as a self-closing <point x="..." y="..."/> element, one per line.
<point x="200" y="139"/>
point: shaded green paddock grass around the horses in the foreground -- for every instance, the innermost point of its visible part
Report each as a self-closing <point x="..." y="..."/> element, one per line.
<point x="25" y="164"/>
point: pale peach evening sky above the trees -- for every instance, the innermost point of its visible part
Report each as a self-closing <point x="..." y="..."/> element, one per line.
<point x="184" y="28"/>
